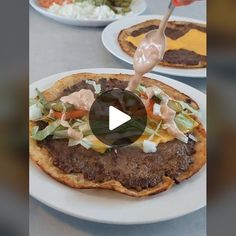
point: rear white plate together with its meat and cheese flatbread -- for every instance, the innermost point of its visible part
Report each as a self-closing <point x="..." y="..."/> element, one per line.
<point x="186" y="43"/>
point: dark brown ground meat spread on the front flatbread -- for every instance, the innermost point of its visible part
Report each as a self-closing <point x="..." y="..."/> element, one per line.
<point x="129" y="165"/>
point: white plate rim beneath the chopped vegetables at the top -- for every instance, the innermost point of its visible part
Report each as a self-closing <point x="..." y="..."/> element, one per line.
<point x="138" y="7"/>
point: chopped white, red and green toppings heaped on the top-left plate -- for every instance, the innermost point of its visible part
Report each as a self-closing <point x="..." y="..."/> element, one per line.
<point x="88" y="9"/>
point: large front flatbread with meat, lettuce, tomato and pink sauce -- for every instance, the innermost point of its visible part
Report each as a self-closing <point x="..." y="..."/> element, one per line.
<point x="171" y="149"/>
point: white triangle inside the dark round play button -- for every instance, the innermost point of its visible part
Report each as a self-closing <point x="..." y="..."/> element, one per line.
<point x="117" y="118"/>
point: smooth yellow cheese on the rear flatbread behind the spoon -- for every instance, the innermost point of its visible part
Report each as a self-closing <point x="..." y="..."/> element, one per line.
<point x="193" y="40"/>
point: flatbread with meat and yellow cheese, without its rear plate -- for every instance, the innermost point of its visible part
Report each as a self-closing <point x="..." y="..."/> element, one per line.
<point x="186" y="42"/>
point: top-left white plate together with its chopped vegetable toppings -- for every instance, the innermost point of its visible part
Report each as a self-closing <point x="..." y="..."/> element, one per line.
<point x="90" y="13"/>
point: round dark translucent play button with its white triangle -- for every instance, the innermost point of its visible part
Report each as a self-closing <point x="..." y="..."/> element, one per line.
<point x="117" y="117"/>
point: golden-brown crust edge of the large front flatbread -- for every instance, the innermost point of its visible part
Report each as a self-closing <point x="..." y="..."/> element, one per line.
<point x="42" y="157"/>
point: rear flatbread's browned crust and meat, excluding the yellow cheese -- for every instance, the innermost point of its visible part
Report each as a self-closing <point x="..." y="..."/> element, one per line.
<point x="181" y="58"/>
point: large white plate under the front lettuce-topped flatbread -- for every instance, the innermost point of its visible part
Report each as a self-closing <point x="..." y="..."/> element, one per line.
<point x="111" y="207"/>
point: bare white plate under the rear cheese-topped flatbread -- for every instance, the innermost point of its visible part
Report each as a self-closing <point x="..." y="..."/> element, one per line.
<point x="110" y="36"/>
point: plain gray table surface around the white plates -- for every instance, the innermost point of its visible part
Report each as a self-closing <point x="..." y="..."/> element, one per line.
<point x="56" y="48"/>
